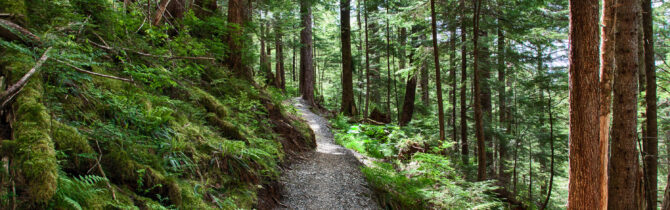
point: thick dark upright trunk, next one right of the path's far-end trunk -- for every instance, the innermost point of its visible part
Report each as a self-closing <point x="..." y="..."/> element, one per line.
<point x="348" y="104"/>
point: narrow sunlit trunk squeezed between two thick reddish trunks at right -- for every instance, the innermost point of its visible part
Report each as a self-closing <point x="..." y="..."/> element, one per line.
<point x="607" y="61"/>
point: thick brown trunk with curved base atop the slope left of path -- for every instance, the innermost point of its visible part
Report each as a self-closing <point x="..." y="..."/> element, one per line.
<point x="237" y="17"/>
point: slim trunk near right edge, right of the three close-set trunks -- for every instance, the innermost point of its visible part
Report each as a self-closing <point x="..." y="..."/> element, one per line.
<point x="651" y="135"/>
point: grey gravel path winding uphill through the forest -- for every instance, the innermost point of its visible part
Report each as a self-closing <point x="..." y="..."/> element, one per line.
<point x="328" y="178"/>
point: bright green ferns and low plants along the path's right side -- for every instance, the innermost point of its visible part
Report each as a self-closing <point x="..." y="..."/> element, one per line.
<point x="411" y="172"/>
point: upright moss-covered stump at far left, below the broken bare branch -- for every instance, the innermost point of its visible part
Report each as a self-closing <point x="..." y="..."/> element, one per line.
<point x="34" y="149"/>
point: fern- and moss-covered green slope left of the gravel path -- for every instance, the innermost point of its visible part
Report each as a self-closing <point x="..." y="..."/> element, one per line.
<point x="185" y="134"/>
